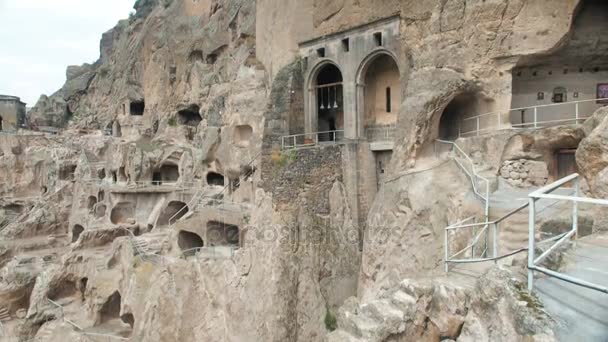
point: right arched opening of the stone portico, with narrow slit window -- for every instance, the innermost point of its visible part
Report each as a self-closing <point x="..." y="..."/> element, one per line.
<point x="379" y="95"/>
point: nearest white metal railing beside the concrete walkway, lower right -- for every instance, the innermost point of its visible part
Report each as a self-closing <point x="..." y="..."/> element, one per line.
<point x="534" y="262"/>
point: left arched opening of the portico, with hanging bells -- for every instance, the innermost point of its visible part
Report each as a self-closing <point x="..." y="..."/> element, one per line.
<point x="330" y="104"/>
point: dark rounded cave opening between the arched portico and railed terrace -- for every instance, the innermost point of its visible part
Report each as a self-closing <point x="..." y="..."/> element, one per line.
<point x="455" y="119"/>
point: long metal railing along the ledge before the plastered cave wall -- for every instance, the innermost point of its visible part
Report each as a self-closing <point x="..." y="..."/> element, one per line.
<point x="531" y="117"/>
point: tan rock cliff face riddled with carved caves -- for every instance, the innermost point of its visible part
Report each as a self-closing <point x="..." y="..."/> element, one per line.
<point x="166" y="211"/>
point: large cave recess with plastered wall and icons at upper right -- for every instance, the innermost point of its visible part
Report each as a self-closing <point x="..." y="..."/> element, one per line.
<point x="575" y="71"/>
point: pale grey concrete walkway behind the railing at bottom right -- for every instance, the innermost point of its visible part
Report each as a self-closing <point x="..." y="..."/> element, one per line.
<point x="581" y="313"/>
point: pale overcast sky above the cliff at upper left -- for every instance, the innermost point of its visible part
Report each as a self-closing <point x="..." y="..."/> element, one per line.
<point x="40" y="38"/>
